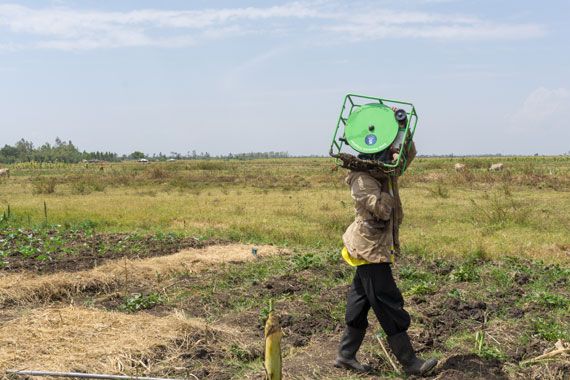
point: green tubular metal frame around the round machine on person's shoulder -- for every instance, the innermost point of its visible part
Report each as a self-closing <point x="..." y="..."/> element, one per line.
<point x="351" y="101"/>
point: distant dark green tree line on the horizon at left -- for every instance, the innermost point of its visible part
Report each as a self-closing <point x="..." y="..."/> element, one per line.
<point x="66" y="151"/>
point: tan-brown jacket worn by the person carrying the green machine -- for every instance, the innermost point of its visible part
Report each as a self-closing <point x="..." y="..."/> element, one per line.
<point x="374" y="234"/>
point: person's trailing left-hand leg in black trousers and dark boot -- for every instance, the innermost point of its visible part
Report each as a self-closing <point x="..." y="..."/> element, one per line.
<point x="356" y="318"/>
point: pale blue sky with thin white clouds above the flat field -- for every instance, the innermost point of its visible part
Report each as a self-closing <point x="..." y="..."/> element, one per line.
<point x="486" y="76"/>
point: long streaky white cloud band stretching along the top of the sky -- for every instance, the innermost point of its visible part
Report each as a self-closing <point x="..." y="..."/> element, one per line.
<point x="66" y="28"/>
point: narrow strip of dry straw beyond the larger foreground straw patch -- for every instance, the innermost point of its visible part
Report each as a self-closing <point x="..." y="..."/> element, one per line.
<point x="22" y="288"/>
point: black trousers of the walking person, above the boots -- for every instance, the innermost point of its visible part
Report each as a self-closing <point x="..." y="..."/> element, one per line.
<point x="374" y="287"/>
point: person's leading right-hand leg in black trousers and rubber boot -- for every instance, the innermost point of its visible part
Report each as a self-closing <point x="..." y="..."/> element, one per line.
<point x="388" y="304"/>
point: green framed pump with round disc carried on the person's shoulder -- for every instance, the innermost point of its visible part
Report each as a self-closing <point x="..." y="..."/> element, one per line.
<point x="368" y="128"/>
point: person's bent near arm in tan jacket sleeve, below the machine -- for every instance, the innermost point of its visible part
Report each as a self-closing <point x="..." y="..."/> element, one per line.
<point x="367" y="192"/>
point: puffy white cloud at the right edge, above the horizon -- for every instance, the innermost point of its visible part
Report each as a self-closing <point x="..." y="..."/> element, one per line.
<point x="544" y="109"/>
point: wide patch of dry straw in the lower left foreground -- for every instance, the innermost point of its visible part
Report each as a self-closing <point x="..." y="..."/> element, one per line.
<point x="79" y="339"/>
